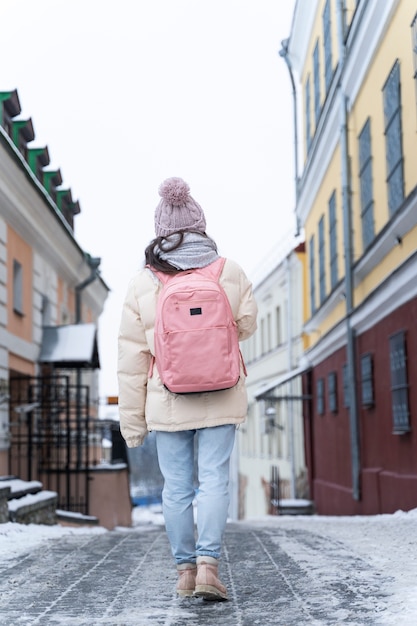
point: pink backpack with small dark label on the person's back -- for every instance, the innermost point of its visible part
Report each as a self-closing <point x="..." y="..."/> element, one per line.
<point x="196" y="336"/>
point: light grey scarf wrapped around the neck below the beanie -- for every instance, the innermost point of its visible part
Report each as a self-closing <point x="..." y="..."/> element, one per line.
<point x="196" y="250"/>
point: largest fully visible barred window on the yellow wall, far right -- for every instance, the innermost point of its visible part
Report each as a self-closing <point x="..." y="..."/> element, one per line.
<point x="393" y="139"/>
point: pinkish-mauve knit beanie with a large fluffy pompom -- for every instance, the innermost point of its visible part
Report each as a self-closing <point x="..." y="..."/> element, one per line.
<point x="177" y="210"/>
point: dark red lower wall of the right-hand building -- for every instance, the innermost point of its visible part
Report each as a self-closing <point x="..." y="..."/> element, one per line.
<point x="388" y="460"/>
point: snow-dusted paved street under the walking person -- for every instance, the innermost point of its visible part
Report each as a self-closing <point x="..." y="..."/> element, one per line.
<point x="288" y="571"/>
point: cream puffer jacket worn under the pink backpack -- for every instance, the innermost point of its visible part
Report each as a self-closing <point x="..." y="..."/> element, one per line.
<point x="144" y="403"/>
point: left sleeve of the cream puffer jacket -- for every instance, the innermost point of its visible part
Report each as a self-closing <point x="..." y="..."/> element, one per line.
<point x="133" y="366"/>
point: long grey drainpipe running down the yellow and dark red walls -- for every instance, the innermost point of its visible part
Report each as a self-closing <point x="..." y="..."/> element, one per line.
<point x="348" y="253"/>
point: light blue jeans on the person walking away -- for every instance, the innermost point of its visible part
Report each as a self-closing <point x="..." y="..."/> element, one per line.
<point x="176" y="461"/>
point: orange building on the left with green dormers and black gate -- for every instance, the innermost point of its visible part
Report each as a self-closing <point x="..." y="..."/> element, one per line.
<point x="51" y="299"/>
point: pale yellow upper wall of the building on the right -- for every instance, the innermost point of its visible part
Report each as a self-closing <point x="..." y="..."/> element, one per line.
<point x="392" y="46"/>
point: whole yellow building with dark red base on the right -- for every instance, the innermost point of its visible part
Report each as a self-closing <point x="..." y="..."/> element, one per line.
<point x="354" y="66"/>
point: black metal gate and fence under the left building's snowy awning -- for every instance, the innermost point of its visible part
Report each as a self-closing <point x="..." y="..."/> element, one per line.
<point x="53" y="438"/>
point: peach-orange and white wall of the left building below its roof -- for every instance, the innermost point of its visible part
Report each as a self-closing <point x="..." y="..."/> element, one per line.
<point x="34" y="233"/>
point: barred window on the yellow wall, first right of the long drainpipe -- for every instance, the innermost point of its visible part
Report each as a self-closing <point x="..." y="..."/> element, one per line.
<point x="366" y="186"/>
